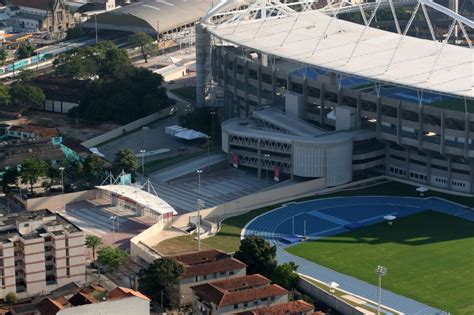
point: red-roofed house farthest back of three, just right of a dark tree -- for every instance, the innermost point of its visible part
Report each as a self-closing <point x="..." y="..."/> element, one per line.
<point x="205" y="266"/>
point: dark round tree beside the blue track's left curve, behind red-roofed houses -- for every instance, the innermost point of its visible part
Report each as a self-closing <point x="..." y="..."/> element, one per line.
<point x="258" y="254"/>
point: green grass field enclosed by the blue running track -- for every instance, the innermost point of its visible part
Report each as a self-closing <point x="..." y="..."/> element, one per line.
<point x="429" y="256"/>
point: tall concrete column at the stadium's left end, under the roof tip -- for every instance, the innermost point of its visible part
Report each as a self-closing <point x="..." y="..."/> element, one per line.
<point x="202" y="50"/>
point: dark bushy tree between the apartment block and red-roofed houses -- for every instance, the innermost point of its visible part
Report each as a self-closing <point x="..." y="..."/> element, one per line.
<point x="161" y="279"/>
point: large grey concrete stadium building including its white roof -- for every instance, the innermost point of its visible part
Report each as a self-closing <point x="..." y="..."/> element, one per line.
<point x="308" y="96"/>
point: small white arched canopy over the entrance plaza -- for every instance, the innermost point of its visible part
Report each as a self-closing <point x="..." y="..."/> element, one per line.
<point x="141" y="197"/>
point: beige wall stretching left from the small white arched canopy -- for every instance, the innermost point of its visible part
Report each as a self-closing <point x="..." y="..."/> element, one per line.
<point x="56" y="202"/>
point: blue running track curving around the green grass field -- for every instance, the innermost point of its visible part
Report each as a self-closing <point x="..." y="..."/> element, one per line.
<point x="330" y="216"/>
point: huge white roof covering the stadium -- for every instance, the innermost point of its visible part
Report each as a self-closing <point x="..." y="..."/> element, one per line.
<point x="415" y="64"/>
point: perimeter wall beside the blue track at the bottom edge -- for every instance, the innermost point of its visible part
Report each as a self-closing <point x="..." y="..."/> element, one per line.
<point x="327" y="298"/>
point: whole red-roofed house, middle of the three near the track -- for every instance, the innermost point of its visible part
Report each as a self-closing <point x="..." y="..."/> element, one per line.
<point x="237" y="295"/>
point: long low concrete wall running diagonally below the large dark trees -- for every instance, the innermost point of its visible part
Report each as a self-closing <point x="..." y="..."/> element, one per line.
<point x="134" y="125"/>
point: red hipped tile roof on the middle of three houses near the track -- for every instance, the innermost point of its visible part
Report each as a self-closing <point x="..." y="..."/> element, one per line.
<point x="238" y="290"/>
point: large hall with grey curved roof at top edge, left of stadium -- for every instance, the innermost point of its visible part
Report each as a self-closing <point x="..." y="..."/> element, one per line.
<point x="152" y="16"/>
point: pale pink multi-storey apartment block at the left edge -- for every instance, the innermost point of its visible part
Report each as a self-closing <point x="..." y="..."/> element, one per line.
<point x="39" y="252"/>
